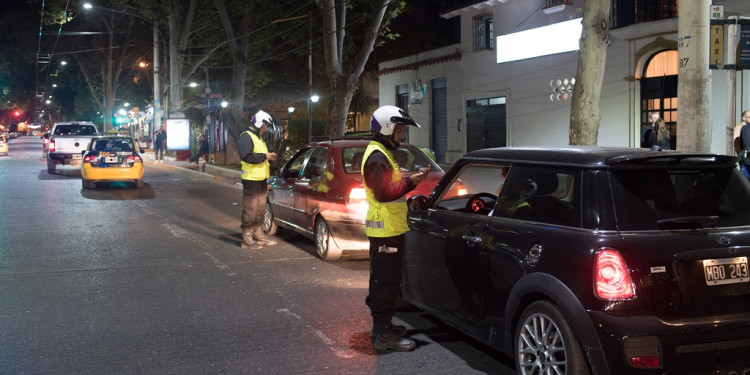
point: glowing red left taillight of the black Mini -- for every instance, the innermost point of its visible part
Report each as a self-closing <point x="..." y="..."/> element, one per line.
<point x="611" y="277"/>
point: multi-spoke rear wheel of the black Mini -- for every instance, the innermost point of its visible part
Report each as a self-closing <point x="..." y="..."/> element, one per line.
<point x="543" y="339"/>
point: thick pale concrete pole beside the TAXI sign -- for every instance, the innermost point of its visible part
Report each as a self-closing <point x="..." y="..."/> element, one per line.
<point x="694" y="86"/>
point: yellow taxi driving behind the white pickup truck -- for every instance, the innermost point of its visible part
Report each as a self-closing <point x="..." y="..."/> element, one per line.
<point x="111" y="158"/>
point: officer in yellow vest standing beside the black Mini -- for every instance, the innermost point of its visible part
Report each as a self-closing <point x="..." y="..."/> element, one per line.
<point x="385" y="223"/>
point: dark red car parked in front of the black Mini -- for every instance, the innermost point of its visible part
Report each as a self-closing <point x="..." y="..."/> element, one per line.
<point x="319" y="193"/>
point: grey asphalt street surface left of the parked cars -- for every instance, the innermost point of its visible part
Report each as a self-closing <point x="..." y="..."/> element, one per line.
<point x="153" y="281"/>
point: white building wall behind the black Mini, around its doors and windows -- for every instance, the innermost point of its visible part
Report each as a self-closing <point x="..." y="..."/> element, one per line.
<point x="532" y="118"/>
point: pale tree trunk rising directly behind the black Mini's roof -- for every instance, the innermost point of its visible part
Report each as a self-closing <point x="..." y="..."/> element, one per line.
<point x="592" y="56"/>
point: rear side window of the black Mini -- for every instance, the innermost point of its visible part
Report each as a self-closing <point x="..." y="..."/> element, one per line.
<point x="540" y="194"/>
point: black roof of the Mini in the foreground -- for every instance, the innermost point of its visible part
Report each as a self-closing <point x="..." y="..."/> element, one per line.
<point x="595" y="156"/>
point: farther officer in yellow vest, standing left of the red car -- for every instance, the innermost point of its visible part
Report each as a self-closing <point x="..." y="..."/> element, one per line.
<point x="255" y="172"/>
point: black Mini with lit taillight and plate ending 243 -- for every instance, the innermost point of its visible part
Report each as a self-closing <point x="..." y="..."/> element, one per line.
<point x="589" y="260"/>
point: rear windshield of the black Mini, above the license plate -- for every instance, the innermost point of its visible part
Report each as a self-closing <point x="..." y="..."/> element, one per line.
<point x="645" y="197"/>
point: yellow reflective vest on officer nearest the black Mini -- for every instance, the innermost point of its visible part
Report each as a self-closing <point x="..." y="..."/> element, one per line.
<point x="384" y="219"/>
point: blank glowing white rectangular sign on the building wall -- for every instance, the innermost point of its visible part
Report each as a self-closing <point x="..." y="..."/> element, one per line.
<point x="542" y="41"/>
